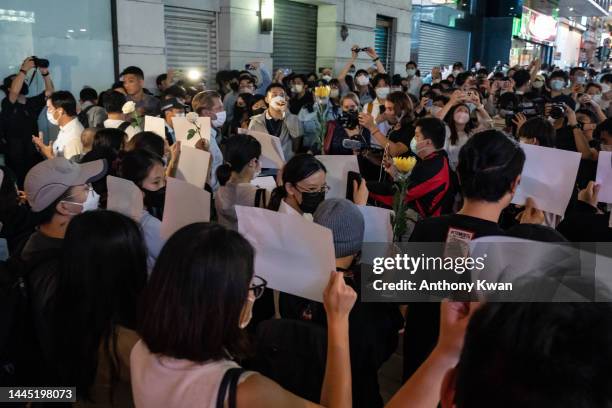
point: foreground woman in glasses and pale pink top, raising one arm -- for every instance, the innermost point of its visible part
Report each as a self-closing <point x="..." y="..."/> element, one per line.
<point x="198" y="301"/>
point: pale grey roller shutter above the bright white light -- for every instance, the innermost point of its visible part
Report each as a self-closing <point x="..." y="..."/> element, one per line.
<point x="191" y="40"/>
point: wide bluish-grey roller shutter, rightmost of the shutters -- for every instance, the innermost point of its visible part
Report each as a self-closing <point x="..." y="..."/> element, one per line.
<point x="442" y="45"/>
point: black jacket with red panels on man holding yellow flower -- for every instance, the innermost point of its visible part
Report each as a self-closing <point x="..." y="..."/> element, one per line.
<point x="430" y="187"/>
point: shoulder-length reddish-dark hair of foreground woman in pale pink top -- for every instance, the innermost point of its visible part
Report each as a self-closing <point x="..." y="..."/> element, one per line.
<point x="192" y="305"/>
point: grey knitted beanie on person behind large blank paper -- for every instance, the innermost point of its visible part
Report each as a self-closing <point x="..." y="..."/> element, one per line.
<point x="346" y="222"/>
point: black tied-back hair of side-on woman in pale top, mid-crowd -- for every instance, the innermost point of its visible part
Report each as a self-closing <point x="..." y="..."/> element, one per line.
<point x="239" y="151"/>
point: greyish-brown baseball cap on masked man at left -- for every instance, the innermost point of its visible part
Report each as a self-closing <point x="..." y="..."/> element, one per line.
<point x="48" y="180"/>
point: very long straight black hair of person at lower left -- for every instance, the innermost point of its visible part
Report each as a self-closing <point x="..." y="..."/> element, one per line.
<point x="101" y="275"/>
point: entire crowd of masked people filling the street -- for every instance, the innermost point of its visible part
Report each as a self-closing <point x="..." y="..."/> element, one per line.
<point x="98" y="300"/>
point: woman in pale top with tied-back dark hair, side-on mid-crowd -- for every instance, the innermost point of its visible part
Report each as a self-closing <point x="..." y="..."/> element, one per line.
<point x="242" y="153"/>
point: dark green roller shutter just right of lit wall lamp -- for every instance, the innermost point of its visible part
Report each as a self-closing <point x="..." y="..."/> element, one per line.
<point x="295" y="36"/>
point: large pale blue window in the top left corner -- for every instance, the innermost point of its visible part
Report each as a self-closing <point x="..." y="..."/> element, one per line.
<point x="75" y="36"/>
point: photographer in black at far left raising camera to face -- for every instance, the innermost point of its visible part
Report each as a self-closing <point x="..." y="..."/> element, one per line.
<point x="19" y="115"/>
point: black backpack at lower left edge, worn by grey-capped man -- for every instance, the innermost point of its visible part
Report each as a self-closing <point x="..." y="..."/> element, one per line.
<point x="20" y="351"/>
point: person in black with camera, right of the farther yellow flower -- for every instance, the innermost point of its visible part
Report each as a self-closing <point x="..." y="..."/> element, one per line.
<point x="347" y="127"/>
